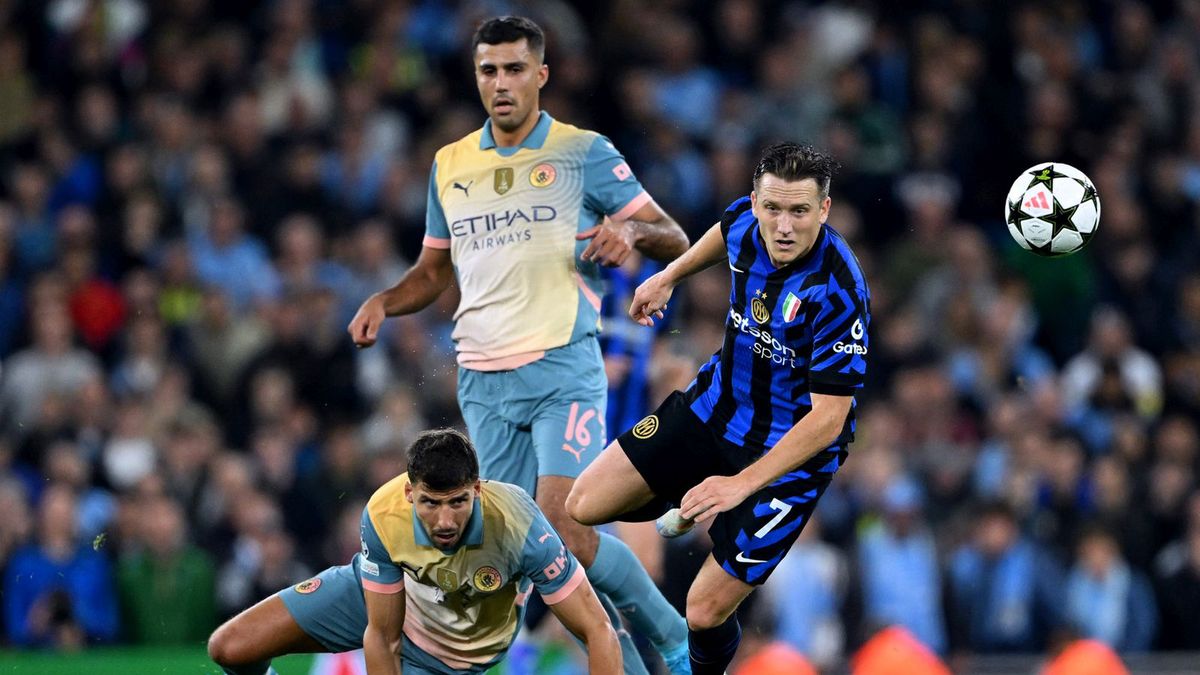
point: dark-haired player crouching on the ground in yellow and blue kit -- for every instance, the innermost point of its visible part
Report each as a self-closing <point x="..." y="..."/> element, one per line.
<point x="447" y="566"/>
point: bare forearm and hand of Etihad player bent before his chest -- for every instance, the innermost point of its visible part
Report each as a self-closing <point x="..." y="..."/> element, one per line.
<point x="650" y="230"/>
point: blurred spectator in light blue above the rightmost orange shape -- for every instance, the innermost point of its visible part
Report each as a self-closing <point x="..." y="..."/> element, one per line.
<point x="1107" y="600"/>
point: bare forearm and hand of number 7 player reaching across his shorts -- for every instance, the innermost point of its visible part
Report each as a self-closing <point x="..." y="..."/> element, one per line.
<point x="814" y="433"/>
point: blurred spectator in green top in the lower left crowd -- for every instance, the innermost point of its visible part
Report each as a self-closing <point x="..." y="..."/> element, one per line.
<point x="166" y="588"/>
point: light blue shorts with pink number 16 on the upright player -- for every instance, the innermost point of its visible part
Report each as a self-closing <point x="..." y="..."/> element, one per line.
<point x="547" y="419"/>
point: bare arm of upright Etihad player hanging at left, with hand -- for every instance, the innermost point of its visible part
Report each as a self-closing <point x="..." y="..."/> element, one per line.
<point x="416" y="291"/>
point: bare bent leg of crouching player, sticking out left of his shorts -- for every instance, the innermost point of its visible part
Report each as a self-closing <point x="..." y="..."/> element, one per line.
<point x="263" y="632"/>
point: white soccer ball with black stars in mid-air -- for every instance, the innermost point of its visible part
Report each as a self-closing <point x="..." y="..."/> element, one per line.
<point x="1053" y="210"/>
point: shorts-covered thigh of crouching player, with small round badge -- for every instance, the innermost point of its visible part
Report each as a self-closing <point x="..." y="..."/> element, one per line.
<point x="331" y="608"/>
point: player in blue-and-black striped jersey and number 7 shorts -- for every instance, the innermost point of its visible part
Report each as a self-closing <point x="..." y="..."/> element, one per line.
<point x="761" y="432"/>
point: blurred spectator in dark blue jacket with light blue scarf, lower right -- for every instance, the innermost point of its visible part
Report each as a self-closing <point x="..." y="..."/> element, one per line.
<point x="1006" y="592"/>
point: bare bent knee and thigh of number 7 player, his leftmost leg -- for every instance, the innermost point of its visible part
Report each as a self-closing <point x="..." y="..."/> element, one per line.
<point x="608" y="489"/>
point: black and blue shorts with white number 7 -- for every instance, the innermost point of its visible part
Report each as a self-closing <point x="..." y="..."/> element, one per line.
<point x="675" y="452"/>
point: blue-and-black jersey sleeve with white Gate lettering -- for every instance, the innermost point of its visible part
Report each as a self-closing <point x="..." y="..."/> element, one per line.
<point x="839" y="343"/>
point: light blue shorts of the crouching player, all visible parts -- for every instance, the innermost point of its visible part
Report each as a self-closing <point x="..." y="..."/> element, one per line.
<point x="332" y="611"/>
